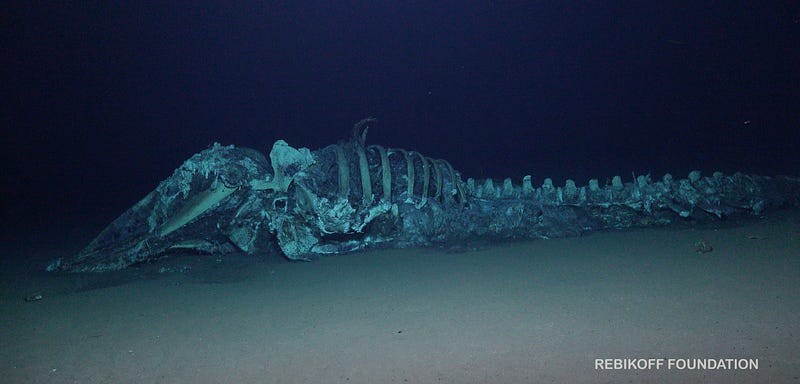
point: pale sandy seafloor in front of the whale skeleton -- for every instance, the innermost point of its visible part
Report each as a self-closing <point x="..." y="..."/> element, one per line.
<point x="522" y="312"/>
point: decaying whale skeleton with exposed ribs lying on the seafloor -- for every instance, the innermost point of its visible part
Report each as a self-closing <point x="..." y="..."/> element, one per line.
<point x="352" y="196"/>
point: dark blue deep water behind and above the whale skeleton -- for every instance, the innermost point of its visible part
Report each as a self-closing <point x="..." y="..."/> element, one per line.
<point x="103" y="100"/>
